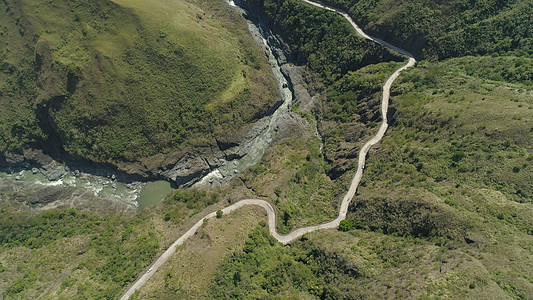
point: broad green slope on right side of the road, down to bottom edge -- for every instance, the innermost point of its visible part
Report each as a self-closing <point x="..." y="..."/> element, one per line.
<point x="445" y="206"/>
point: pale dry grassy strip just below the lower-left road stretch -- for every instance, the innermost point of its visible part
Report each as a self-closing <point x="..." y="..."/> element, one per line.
<point x="188" y="274"/>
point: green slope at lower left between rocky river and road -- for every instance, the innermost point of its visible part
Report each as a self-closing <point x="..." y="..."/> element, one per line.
<point x="90" y="253"/>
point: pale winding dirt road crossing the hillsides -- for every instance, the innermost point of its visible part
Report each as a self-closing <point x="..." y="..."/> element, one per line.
<point x="285" y="239"/>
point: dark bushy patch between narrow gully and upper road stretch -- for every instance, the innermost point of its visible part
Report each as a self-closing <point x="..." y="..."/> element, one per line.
<point x="350" y="113"/>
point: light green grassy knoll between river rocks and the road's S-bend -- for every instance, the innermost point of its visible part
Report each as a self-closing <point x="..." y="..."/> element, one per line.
<point x="292" y="175"/>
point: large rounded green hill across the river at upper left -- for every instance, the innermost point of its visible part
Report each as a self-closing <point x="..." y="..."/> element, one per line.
<point x="139" y="78"/>
